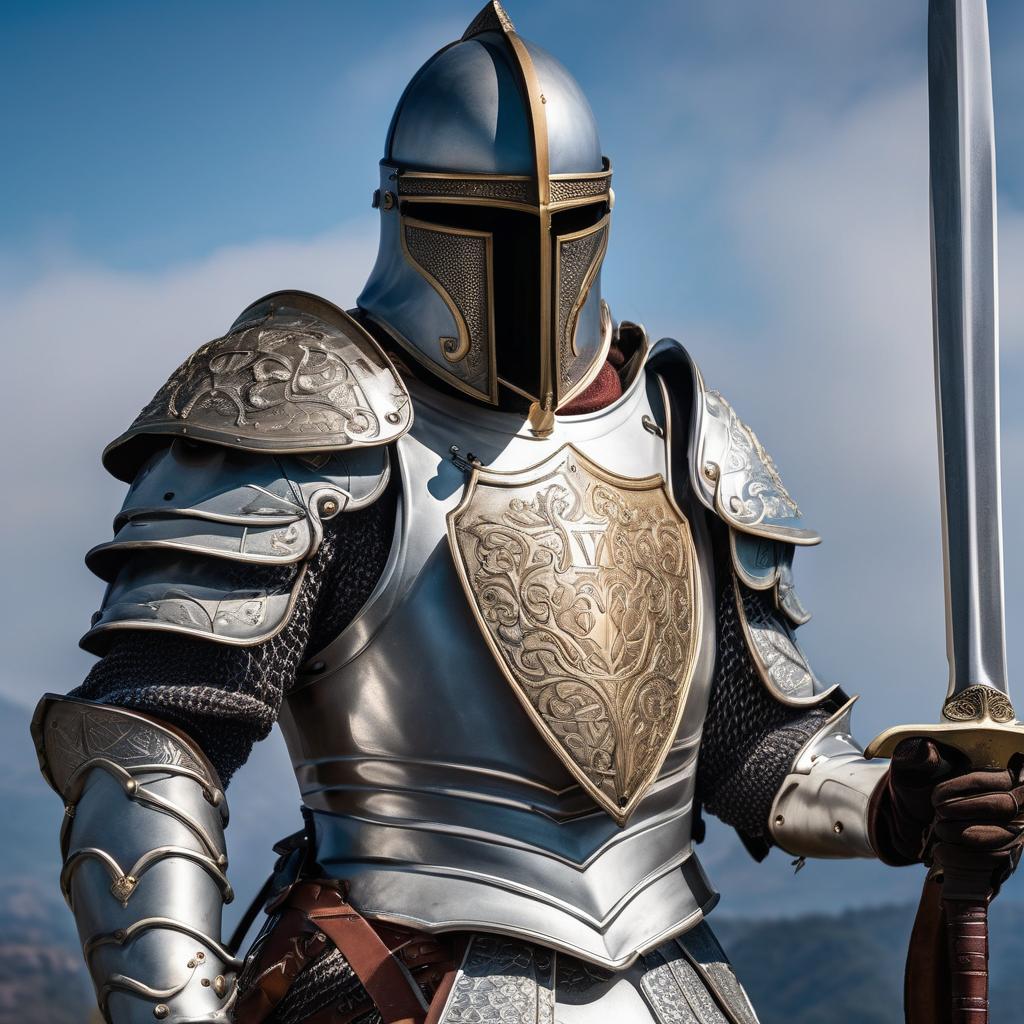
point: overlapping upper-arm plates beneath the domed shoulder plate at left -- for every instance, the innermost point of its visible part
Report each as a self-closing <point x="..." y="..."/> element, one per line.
<point x="215" y="543"/>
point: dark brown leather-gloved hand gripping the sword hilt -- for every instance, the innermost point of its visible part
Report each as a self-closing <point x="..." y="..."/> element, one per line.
<point x="933" y="808"/>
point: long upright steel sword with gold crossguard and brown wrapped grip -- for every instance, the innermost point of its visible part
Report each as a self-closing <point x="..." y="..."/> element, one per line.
<point x="977" y="717"/>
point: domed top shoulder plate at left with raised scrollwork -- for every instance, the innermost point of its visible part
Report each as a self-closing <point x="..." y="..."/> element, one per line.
<point x="295" y="374"/>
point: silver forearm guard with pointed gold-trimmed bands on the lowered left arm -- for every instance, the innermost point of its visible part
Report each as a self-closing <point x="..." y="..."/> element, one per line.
<point x="145" y="865"/>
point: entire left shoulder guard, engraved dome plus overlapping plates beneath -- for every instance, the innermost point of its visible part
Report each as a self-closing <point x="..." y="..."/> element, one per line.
<point x="254" y="444"/>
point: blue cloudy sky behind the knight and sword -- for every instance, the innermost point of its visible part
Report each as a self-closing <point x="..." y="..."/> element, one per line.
<point x="165" y="164"/>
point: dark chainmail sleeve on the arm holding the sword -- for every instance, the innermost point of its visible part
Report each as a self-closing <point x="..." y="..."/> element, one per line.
<point x="750" y="739"/>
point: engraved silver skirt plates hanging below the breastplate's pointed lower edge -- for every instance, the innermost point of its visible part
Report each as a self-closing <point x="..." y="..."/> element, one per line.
<point x="685" y="982"/>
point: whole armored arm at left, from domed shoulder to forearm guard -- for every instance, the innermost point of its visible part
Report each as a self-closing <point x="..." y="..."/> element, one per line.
<point x="243" y="470"/>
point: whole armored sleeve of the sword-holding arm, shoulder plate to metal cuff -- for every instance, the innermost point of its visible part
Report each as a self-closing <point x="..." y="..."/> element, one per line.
<point x="778" y="759"/>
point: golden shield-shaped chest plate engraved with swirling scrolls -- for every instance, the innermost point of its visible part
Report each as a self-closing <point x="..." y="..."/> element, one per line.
<point x="586" y="588"/>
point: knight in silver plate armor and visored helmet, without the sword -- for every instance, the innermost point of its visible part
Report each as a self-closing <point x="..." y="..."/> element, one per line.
<point x="518" y="586"/>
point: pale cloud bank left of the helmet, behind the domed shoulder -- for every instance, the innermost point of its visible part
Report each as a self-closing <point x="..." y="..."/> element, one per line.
<point x="87" y="349"/>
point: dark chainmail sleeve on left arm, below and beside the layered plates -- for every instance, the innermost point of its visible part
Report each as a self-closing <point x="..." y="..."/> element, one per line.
<point x="225" y="698"/>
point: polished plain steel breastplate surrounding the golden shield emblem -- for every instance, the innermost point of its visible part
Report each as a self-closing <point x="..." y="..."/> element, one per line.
<point x="437" y="795"/>
